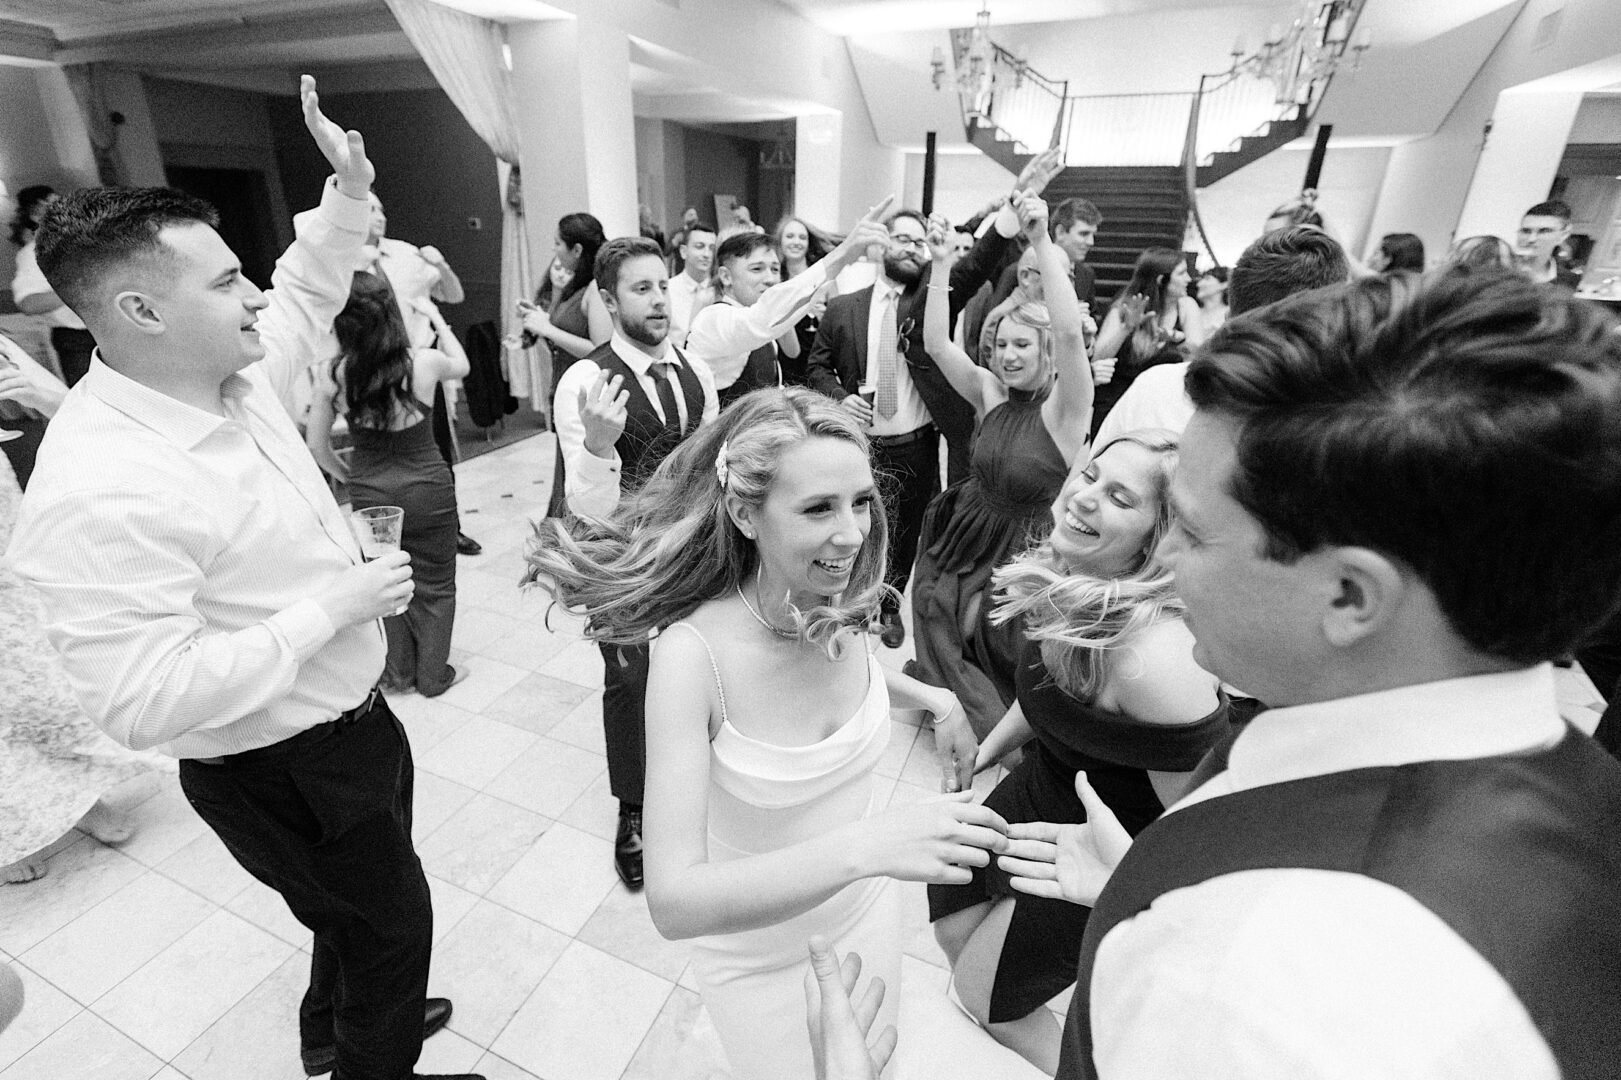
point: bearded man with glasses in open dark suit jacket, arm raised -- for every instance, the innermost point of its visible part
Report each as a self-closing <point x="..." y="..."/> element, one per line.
<point x="857" y="361"/>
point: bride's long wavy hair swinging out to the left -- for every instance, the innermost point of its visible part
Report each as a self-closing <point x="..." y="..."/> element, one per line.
<point x="672" y="546"/>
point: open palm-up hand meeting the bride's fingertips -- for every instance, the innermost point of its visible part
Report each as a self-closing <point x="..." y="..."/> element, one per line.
<point x="1067" y="862"/>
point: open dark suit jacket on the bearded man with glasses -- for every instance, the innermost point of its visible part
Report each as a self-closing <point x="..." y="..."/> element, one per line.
<point x="839" y="358"/>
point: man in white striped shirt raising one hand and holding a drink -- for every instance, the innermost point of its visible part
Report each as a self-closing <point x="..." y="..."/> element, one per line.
<point x="207" y="593"/>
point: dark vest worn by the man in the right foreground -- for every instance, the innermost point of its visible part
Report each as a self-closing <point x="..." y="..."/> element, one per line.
<point x="1520" y="855"/>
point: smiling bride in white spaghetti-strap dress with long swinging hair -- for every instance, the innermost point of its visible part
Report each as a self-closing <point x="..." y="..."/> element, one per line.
<point x="758" y="551"/>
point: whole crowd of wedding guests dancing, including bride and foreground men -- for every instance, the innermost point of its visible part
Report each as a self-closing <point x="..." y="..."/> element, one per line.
<point x="1246" y="583"/>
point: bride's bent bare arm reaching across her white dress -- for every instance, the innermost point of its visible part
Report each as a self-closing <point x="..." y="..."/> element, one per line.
<point x="691" y="896"/>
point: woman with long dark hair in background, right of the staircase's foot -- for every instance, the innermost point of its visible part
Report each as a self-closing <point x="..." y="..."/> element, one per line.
<point x="1152" y="322"/>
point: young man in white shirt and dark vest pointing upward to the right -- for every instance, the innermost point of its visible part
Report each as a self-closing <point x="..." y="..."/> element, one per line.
<point x="740" y="335"/>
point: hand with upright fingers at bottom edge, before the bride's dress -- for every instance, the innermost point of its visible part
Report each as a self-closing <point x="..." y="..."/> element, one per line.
<point x="839" y="1031"/>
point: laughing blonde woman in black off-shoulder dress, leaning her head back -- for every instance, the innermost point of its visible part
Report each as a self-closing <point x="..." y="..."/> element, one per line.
<point x="1106" y="684"/>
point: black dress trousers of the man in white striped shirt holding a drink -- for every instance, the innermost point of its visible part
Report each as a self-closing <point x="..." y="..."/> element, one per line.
<point x="325" y="820"/>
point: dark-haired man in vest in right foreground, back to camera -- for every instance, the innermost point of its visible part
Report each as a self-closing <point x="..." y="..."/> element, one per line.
<point x="1396" y="505"/>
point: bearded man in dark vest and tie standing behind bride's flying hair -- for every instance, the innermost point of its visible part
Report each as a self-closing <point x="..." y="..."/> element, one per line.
<point x="620" y="413"/>
